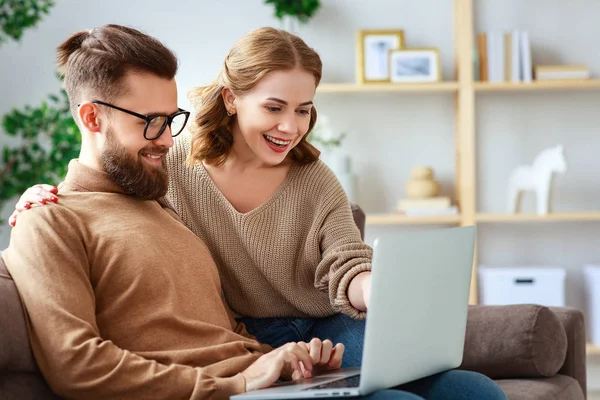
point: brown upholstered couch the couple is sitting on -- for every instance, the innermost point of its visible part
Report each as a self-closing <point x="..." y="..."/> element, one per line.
<point x="533" y="352"/>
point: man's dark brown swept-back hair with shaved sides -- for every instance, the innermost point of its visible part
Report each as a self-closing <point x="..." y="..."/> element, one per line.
<point x="94" y="63"/>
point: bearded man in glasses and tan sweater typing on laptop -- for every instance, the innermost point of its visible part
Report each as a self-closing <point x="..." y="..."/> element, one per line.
<point x="123" y="300"/>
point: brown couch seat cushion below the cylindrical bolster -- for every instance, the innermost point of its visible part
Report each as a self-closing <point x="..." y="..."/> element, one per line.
<point x="559" y="387"/>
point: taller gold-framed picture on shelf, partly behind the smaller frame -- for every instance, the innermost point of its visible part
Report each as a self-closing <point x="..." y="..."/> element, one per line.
<point x="373" y="52"/>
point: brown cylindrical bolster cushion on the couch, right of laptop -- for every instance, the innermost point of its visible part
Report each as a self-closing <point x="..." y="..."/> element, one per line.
<point x="517" y="341"/>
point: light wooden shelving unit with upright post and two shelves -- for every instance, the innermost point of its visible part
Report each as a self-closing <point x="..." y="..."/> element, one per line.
<point x="465" y="90"/>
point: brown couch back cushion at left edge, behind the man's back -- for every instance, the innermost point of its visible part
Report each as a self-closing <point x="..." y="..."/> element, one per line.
<point x="15" y="351"/>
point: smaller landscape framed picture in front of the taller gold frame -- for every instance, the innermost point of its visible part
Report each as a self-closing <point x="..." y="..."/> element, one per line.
<point x="415" y="65"/>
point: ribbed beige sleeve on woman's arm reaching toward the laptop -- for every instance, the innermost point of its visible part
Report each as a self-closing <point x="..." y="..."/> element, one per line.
<point x="343" y="253"/>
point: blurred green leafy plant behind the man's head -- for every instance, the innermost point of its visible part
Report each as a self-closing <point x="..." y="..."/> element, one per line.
<point x="49" y="138"/>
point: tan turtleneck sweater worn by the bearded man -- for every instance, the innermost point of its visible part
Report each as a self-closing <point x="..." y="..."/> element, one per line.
<point x="123" y="300"/>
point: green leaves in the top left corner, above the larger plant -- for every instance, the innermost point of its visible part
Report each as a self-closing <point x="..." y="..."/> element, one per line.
<point x="18" y="15"/>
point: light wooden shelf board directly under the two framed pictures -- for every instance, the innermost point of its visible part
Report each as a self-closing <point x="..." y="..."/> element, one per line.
<point x="387" y="87"/>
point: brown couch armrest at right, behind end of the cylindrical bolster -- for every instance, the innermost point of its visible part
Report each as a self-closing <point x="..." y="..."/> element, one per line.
<point x="575" y="362"/>
